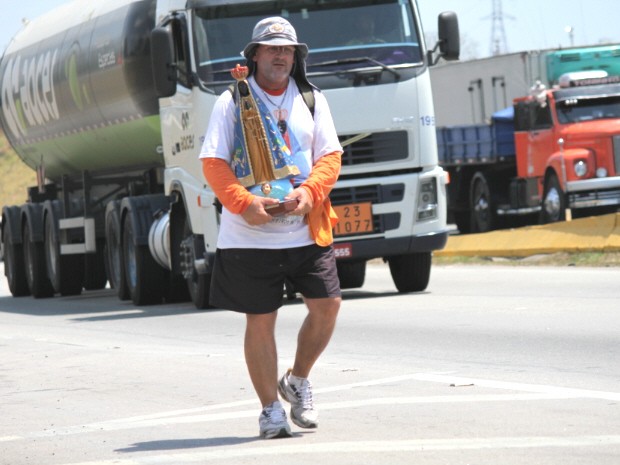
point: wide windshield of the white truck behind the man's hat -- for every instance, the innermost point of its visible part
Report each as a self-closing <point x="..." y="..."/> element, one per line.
<point x="351" y="42"/>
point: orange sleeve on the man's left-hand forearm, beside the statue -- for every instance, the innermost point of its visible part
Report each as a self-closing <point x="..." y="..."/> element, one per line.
<point x="225" y="185"/>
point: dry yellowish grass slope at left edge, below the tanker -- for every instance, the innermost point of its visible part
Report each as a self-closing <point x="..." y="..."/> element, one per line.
<point x="15" y="176"/>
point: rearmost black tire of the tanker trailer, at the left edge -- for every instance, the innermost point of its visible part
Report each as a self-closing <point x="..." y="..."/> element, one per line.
<point x="14" y="268"/>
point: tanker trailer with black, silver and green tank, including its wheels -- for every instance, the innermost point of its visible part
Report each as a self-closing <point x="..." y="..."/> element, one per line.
<point x="79" y="106"/>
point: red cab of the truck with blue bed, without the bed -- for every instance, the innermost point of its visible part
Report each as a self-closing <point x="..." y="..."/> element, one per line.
<point x="567" y="142"/>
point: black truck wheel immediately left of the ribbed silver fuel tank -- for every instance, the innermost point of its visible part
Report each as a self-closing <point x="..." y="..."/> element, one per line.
<point x="145" y="278"/>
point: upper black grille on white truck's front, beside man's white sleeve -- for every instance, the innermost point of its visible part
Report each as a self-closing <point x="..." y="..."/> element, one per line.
<point x="375" y="148"/>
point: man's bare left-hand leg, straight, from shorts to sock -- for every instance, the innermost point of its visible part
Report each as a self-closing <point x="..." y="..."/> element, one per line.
<point x="261" y="355"/>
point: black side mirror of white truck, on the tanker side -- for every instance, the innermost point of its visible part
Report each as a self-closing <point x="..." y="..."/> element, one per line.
<point x="162" y="62"/>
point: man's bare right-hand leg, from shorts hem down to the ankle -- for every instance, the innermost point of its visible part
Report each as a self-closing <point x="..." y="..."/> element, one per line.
<point x="315" y="333"/>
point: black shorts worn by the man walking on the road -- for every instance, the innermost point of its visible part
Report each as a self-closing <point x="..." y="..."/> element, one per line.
<point x="252" y="280"/>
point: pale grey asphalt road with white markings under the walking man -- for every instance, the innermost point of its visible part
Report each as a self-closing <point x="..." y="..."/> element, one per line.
<point x="491" y="365"/>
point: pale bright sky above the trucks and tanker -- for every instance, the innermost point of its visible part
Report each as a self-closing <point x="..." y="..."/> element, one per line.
<point x="526" y="24"/>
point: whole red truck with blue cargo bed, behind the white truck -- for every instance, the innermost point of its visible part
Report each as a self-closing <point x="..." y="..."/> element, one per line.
<point x="556" y="152"/>
